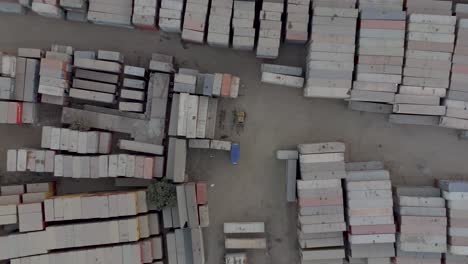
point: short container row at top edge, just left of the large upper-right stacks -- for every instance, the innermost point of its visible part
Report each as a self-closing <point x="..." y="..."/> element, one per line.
<point x="297" y="21"/>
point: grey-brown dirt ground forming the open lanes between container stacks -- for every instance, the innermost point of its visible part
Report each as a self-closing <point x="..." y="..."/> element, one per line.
<point x="277" y="118"/>
